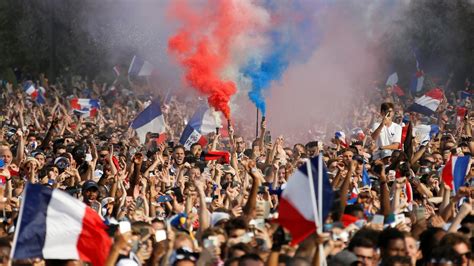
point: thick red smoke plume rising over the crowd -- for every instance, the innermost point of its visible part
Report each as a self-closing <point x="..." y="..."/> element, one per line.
<point x="204" y="42"/>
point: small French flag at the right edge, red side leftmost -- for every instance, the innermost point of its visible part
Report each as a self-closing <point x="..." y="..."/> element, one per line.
<point x="455" y="171"/>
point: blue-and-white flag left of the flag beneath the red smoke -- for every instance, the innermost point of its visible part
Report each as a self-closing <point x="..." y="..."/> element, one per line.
<point x="149" y="120"/>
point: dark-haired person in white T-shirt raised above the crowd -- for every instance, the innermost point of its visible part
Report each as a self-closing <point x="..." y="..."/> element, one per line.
<point x="387" y="134"/>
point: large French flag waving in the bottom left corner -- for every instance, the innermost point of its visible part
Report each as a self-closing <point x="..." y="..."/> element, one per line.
<point x="54" y="225"/>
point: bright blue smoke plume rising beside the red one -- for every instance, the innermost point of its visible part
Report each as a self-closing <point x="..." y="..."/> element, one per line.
<point x="286" y="43"/>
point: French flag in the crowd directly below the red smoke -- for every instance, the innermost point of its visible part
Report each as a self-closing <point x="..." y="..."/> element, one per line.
<point x="204" y="121"/>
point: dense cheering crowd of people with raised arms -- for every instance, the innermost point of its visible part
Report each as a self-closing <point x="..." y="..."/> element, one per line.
<point x="391" y="206"/>
